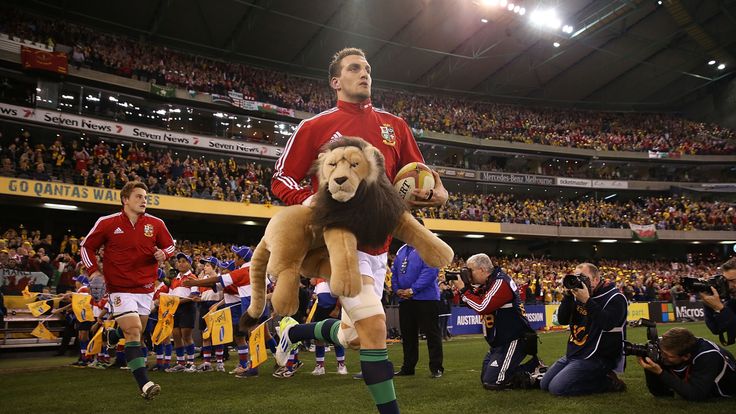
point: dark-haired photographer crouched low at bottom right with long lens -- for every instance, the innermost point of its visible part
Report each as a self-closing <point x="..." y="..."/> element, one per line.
<point x="694" y="368"/>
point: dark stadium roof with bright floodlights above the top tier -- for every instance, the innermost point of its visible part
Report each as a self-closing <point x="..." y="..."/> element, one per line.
<point x="634" y="54"/>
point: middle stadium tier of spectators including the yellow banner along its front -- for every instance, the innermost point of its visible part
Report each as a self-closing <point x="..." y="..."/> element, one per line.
<point x="91" y="169"/>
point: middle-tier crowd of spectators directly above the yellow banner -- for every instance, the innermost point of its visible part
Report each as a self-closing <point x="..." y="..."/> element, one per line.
<point x="96" y="163"/>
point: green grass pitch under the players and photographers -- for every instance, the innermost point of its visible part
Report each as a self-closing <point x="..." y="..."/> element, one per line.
<point x="47" y="385"/>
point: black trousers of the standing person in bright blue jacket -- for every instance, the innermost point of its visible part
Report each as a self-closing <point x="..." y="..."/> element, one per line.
<point x="413" y="315"/>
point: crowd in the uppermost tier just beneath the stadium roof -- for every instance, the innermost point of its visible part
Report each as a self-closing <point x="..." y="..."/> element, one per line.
<point x="558" y="127"/>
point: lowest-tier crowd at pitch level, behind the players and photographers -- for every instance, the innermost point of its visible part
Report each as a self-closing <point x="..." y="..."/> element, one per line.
<point x="540" y="279"/>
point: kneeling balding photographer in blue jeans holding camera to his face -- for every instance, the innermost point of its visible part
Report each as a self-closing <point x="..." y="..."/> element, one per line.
<point x="596" y="312"/>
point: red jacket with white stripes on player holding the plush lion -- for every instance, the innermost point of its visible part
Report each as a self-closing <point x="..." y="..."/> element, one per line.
<point x="385" y="131"/>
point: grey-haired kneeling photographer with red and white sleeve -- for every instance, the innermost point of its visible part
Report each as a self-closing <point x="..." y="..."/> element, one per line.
<point x="492" y="293"/>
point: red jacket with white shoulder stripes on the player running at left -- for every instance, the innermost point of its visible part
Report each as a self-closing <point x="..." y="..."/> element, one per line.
<point x="129" y="265"/>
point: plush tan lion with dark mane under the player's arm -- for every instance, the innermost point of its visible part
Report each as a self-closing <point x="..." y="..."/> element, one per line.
<point x="355" y="204"/>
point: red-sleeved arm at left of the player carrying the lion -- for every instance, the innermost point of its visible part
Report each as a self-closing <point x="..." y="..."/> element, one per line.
<point x="292" y="167"/>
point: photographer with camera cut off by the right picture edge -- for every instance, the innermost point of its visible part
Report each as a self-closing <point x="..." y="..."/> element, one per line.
<point x="720" y="312"/>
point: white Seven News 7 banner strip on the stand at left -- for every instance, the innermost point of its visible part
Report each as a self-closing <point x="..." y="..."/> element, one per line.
<point x="150" y="135"/>
